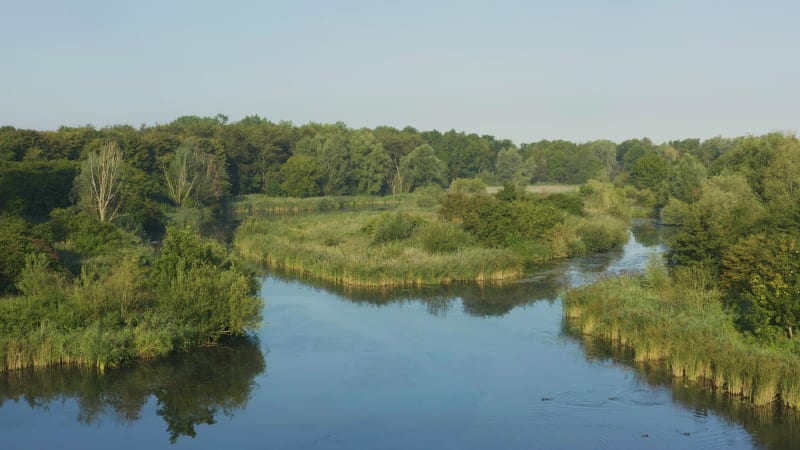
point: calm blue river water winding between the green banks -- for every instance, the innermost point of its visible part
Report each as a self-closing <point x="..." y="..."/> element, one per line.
<point x="457" y="367"/>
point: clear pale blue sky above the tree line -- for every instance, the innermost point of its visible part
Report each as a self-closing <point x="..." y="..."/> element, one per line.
<point x="525" y="70"/>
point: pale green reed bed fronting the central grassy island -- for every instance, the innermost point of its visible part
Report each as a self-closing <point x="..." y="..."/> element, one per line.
<point x="334" y="247"/>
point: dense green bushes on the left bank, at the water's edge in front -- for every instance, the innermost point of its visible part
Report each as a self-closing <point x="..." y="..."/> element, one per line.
<point x="129" y="304"/>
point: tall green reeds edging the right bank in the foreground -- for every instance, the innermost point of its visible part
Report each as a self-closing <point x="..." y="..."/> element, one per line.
<point x="687" y="330"/>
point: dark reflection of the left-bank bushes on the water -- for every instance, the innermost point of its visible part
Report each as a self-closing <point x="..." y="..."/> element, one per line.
<point x="189" y="389"/>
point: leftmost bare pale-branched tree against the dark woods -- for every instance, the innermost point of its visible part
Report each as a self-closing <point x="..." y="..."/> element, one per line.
<point x="99" y="181"/>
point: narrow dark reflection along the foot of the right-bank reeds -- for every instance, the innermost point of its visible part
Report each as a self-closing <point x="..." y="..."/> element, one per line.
<point x="771" y="427"/>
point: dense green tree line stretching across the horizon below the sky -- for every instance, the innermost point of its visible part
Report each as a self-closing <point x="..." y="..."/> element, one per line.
<point x="734" y="199"/>
